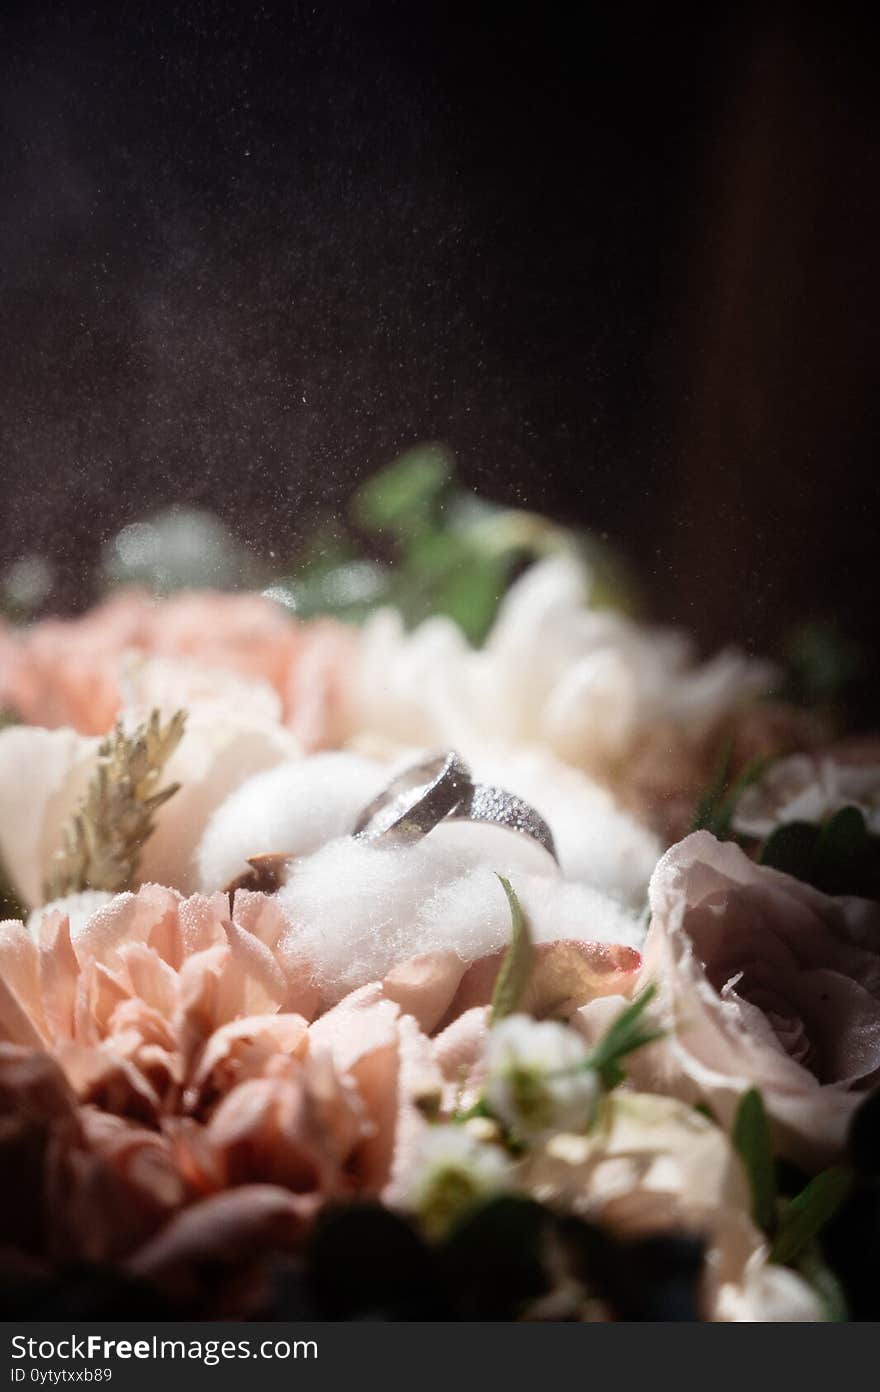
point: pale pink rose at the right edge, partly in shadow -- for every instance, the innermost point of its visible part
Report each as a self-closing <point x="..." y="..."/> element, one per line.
<point x="762" y="982"/>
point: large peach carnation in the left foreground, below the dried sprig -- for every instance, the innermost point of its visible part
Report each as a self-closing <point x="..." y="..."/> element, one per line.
<point x="184" y="1021"/>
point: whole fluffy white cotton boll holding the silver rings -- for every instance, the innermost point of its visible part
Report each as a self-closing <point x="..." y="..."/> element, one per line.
<point x="356" y="910"/>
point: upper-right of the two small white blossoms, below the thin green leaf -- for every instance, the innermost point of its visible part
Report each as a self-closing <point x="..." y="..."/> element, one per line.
<point x="538" y="1079"/>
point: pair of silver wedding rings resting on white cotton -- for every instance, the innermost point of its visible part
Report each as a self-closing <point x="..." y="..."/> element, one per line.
<point x="442" y="790"/>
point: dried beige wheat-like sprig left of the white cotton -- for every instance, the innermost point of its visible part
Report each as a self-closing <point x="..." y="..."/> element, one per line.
<point x="104" y="840"/>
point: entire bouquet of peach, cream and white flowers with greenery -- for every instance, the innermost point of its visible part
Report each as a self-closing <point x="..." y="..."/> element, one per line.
<point x="430" y="940"/>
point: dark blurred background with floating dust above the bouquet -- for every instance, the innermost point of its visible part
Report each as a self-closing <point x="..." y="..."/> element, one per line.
<point x="622" y="261"/>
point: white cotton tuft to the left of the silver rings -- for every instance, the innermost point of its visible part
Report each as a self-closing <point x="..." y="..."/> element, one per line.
<point x="292" y="809"/>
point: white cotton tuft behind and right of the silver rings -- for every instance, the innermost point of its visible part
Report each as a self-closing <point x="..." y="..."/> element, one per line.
<point x="597" y="841"/>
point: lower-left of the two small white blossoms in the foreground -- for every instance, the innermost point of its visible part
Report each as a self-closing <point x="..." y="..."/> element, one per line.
<point x="452" y="1173"/>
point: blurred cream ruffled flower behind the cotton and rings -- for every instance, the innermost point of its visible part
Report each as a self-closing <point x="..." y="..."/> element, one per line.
<point x="587" y="684"/>
